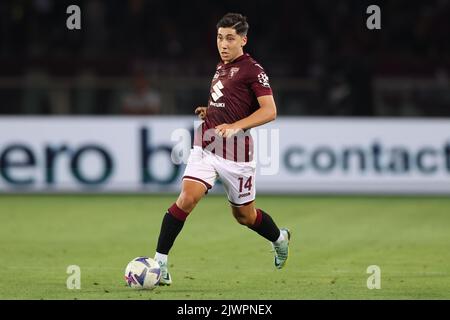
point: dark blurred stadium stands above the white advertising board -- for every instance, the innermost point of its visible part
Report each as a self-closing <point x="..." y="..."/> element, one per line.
<point x="322" y="59"/>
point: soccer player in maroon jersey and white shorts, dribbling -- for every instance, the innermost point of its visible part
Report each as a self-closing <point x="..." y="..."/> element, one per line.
<point x="240" y="99"/>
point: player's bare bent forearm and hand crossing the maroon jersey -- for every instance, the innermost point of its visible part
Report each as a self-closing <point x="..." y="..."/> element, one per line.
<point x="267" y="112"/>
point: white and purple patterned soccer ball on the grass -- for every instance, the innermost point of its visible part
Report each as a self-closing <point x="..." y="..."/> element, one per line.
<point x="142" y="273"/>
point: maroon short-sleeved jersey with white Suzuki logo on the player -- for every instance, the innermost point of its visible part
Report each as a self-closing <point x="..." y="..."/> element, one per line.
<point x="233" y="96"/>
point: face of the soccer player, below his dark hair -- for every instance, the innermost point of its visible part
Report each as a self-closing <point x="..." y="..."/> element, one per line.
<point x="230" y="44"/>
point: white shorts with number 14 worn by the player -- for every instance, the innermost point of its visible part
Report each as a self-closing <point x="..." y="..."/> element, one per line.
<point x="238" y="178"/>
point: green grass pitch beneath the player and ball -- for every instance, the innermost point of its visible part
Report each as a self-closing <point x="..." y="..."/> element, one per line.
<point x="334" y="240"/>
